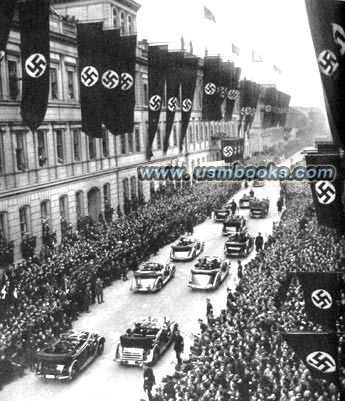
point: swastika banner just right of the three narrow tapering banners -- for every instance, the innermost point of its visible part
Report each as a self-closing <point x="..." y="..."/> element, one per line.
<point x="210" y="107"/>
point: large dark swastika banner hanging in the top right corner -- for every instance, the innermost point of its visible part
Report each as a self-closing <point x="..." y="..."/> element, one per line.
<point x="327" y="16"/>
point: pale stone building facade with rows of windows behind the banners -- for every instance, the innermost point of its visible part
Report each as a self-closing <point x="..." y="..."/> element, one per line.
<point x="58" y="173"/>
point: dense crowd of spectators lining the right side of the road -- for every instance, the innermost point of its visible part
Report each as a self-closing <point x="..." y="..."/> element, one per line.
<point x="240" y="354"/>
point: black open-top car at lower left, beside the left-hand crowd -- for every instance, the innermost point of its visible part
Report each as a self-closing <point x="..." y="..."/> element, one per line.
<point x="73" y="352"/>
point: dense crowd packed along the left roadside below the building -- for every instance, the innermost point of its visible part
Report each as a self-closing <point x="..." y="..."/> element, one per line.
<point x="41" y="296"/>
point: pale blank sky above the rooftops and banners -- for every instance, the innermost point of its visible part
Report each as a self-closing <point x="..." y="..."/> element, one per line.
<point x="277" y="30"/>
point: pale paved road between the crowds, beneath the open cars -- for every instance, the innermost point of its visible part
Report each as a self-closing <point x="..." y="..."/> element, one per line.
<point x="104" y="379"/>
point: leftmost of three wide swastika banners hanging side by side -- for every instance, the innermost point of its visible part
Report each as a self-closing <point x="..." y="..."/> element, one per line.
<point x="90" y="50"/>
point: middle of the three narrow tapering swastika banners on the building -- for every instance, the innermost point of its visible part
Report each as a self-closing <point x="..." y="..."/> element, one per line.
<point x="174" y="65"/>
